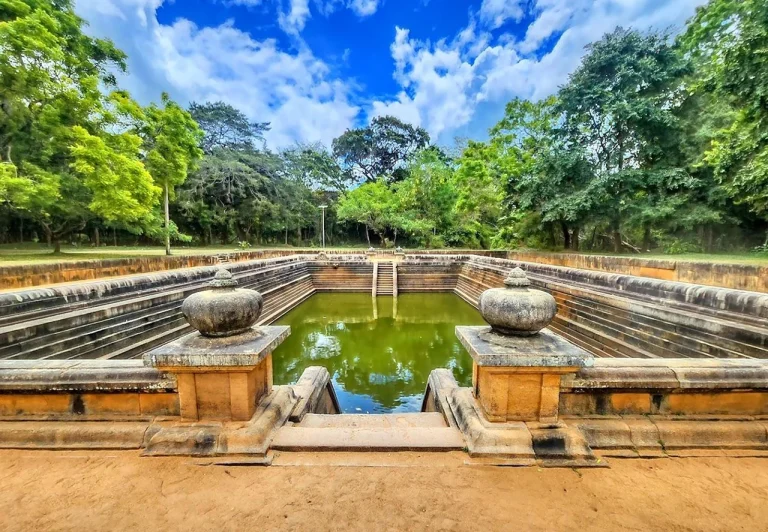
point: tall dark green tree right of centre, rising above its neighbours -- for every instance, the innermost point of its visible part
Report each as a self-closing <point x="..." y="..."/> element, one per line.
<point x="618" y="108"/>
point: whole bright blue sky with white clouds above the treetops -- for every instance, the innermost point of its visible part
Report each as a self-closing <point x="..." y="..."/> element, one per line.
<point x="314" y="68"/>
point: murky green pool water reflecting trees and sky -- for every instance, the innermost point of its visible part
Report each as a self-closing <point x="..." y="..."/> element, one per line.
<point x="379" y="351"/>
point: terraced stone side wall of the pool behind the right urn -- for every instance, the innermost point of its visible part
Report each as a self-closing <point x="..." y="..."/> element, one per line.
<point x="622" y="316"/>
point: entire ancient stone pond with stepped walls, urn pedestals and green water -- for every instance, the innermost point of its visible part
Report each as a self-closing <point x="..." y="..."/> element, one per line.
<point x="386" y="351"/>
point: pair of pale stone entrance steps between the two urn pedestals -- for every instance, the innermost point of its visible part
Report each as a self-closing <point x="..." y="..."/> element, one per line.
<point x="424" y="431"/>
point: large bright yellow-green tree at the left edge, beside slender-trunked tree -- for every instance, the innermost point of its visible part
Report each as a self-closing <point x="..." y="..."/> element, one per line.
<point x="57" y="126"/>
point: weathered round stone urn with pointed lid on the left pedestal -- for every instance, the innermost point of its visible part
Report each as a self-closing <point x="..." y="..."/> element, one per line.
<point x="223" y="309"/>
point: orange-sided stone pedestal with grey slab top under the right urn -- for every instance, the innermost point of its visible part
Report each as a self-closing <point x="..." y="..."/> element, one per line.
<point x="517" y="378"/>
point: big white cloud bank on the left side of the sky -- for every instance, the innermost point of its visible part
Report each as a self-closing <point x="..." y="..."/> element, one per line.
<point x="296" y="92"/>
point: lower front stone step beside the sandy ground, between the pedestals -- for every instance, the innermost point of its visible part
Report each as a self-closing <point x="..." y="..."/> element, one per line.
<point x="298" y="438"/>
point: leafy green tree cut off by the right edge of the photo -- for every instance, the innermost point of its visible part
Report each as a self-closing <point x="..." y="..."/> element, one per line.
<point x="727" y="40"/>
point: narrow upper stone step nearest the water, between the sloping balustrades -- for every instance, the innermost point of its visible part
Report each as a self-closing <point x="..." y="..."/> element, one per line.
<point x="373" y="421"/>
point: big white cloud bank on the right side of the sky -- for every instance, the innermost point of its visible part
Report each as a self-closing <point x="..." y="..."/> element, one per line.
<point x="460" y="85"/>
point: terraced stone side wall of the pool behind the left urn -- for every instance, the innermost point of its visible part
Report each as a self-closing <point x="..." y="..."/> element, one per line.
<point x="122" y="318"/>
